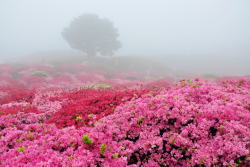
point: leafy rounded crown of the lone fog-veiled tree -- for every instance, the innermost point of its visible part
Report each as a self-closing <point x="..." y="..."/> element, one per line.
<point x="90" y="34"/>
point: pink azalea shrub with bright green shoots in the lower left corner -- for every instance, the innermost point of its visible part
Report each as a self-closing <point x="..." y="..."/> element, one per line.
<point x="42" y="145"/>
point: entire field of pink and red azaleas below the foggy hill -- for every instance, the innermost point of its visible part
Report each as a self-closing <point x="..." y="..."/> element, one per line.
<point x="74" y="115"/>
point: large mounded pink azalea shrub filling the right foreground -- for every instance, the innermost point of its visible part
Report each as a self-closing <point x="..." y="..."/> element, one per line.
<point x="186" y="126"/>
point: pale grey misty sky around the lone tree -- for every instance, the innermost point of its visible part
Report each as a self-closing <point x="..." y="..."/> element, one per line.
<point x="145" y="27"/>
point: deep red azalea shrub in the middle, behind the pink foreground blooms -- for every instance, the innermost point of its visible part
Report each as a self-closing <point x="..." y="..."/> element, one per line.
<point x="82" y="104"/>
